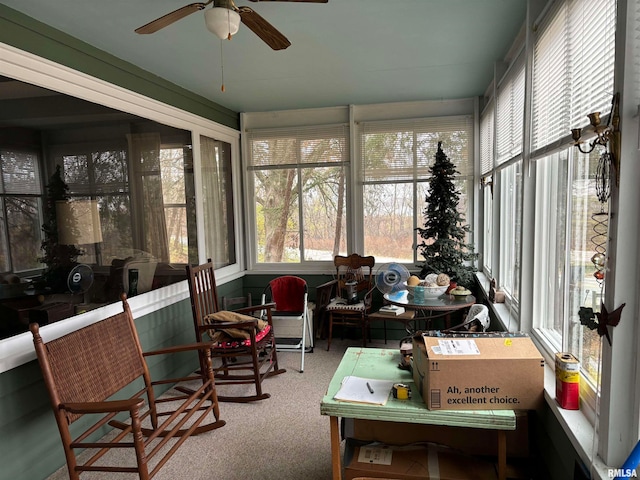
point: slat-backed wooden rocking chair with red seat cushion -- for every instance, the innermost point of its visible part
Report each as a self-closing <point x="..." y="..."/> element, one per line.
<point x="238" y="361"/>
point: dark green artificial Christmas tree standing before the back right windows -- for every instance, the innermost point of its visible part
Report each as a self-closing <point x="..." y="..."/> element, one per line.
<point x="444" y="246"/>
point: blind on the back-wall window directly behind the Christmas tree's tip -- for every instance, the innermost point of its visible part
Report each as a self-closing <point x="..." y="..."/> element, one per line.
<point x="403" y="150"/>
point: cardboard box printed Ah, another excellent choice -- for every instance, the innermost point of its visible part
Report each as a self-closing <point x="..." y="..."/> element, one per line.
<point x="497" y="371"/>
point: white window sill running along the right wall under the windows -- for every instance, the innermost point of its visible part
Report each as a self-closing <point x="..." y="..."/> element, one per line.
<point x="575" y="424"/>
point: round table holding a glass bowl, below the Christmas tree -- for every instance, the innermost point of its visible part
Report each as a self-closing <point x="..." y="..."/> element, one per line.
<point x="430" y="308"/>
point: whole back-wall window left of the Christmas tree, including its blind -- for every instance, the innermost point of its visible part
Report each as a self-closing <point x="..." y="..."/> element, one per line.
<point x="300" y="178"/>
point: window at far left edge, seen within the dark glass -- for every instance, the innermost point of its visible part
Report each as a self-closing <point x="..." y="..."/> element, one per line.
<point x="20" y="211"/>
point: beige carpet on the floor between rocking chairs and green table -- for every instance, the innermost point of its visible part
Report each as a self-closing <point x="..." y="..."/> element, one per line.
<point x="280" y="438"/>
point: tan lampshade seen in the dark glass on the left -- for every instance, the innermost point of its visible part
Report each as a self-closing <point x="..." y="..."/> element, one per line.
<point x="78" y="222"/>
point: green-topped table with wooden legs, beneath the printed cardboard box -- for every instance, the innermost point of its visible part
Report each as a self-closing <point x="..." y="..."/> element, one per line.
<point x="382" y="364"/>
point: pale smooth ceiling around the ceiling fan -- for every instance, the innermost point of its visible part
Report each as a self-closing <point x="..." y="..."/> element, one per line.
<point x="343" y="52"/>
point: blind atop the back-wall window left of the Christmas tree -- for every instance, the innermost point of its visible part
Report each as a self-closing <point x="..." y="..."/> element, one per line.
<point x="292" y="146"/>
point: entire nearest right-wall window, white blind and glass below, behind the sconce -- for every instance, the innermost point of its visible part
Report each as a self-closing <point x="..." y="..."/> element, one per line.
<point x="567" y="85"/>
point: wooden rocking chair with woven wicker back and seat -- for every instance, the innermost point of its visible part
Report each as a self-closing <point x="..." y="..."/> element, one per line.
<point x="86" y="371"/>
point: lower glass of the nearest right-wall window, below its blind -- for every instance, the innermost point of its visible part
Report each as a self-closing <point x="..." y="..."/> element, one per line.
<point x="571" y="226"/>
